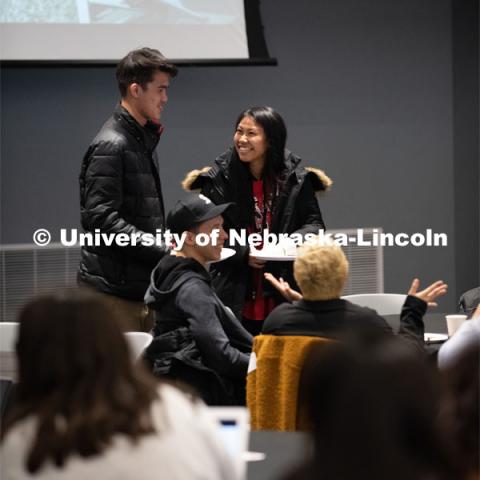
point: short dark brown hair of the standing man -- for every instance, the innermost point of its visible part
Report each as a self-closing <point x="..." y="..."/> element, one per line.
<point x="139" y="66"/>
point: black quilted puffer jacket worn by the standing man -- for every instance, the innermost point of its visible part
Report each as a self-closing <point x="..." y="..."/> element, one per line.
<point x="120" y="192"/>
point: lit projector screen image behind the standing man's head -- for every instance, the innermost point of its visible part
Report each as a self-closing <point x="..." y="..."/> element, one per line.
<point x="92" y="30"/>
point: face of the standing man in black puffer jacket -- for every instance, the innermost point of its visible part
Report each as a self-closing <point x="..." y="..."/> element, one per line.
<point x="150" y="101"/>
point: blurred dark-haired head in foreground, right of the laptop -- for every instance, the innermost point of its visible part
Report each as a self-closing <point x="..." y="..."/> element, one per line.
<point x="374" y="415"/>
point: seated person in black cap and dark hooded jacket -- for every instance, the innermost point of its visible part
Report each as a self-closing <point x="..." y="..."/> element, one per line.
<point x="197" y="339"/>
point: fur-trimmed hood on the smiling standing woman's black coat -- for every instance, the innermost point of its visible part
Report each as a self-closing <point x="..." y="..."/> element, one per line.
<point x="194" y="179"/>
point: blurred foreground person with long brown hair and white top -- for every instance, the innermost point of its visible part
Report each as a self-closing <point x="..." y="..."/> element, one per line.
<point x="84" y="410"/>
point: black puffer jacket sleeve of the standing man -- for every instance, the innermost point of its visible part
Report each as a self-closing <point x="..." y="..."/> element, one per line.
<point x="102" y="200"/>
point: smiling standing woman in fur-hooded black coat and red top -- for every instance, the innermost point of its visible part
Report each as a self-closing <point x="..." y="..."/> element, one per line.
<point x="271" y="192"/>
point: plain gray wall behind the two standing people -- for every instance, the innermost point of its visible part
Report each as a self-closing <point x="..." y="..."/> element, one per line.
<point x="367" y="89"/>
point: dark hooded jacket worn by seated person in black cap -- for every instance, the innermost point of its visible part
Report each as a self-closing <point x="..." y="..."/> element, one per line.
<point x="196" y="338"/>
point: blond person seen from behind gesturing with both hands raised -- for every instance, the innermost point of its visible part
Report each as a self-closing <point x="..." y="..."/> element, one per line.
<point x="321" y="271"/>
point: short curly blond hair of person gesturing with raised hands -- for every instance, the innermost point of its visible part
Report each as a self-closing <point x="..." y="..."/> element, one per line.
<point x="321" y="271"/>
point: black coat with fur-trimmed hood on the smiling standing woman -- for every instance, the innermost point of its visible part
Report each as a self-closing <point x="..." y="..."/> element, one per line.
<point x="295" y="210"/>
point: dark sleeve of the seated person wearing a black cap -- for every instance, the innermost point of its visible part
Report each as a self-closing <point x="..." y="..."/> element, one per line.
<point x="205" y="325"/>
